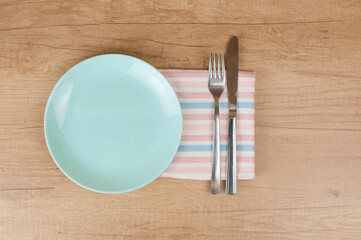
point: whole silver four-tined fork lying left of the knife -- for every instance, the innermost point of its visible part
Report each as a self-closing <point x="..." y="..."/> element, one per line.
<point x="216" y="85"/>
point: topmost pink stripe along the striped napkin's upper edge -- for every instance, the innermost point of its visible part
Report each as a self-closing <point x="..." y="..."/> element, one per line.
<point x="198" y="74"/>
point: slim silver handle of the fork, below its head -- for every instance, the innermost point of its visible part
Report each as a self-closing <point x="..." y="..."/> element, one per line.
<point x="216" y="160"/>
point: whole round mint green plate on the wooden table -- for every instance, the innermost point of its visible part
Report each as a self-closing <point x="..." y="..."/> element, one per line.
<point x="113" y="123"/>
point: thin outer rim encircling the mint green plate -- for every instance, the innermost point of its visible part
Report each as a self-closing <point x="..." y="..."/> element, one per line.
<point x="61" y="79"/>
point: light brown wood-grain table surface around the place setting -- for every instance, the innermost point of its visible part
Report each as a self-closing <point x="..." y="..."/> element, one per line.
<point x="307" y="57"/>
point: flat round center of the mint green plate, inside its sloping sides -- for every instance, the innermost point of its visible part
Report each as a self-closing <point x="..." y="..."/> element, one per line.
<point x="110" y="123"/>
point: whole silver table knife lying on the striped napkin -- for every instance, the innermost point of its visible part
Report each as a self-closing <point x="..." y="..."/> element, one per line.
<point x="232" y="84"/>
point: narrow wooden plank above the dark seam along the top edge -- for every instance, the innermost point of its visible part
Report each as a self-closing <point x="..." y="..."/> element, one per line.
<point x="33" y="14"/>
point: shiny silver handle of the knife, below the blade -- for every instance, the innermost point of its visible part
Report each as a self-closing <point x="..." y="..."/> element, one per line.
<point x="231" y="180"/>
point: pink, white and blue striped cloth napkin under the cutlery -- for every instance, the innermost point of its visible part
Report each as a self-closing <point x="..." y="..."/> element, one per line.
<point x="194" y="157"/>
